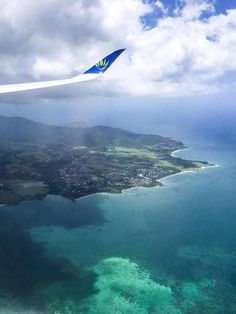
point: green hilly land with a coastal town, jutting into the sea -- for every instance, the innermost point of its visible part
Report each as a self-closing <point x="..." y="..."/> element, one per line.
<point x="37" y="159"/>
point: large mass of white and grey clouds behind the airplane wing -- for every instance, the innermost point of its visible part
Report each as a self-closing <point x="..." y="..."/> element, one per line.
<point x="190" y="49"/>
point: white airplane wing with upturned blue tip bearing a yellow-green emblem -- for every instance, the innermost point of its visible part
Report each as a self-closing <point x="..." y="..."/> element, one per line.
<point x="93" y="73"/>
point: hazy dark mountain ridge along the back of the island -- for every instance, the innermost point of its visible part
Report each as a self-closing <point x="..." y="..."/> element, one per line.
<point x="19" y="129"/>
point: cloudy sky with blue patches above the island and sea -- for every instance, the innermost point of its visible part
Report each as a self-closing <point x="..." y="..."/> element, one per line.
<point x="177" y="51"/>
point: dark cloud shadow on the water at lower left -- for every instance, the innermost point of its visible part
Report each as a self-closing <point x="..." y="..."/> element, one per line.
<point x="27" y="272"/>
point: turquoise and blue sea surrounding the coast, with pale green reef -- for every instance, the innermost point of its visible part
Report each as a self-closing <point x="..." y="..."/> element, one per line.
<point x="156" y="250"/>
